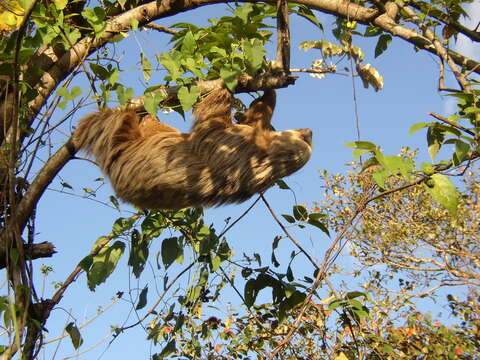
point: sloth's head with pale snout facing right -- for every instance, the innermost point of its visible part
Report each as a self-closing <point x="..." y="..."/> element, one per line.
<point x="290" y="150"/>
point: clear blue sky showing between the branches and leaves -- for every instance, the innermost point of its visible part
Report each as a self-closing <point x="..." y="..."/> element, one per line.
<point x="326" y="106"/>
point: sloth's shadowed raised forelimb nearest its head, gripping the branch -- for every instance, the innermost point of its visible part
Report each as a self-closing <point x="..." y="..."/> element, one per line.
<point x="260" y="112"/>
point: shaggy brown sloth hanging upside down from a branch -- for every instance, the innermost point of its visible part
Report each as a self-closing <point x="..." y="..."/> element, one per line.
<point x="154" y="166"/>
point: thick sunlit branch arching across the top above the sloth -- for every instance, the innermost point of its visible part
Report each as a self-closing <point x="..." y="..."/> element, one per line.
<point x="146" y="13"/>
